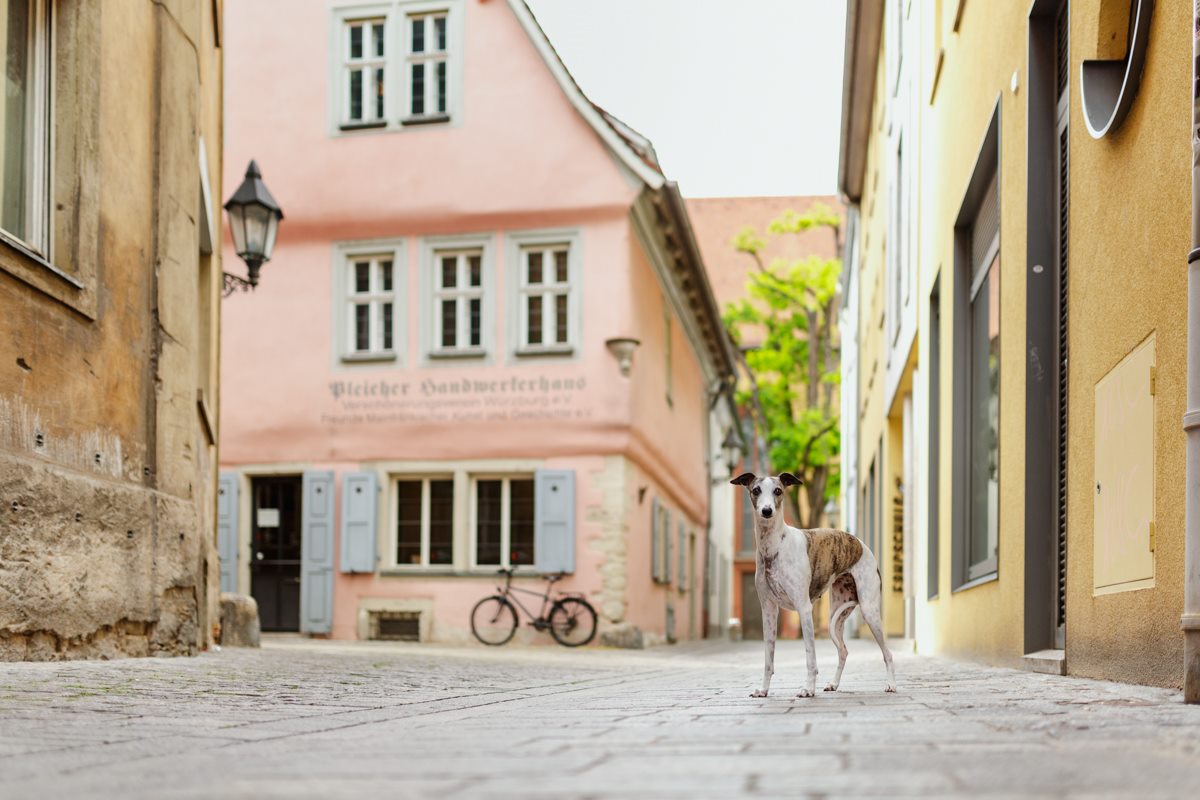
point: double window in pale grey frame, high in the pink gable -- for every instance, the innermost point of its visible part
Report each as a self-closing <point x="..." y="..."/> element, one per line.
<point x="399" y="64"/>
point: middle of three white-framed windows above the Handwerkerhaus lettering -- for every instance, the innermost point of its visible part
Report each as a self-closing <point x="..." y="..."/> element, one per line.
<point x="459" y="302"/>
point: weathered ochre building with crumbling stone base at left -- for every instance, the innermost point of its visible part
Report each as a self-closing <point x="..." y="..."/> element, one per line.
<point x="110" y="299"/>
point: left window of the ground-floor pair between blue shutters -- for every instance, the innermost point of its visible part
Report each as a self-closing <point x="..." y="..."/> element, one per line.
<point x="424" y="522"/>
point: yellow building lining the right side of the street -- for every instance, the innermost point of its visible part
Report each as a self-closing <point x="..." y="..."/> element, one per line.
<point x="1018" y="292"/>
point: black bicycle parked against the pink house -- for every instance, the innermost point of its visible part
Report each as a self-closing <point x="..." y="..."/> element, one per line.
<point x="572" y="621"/>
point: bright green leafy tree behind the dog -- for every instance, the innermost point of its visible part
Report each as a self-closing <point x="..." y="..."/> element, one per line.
<point x="791" y="371"/>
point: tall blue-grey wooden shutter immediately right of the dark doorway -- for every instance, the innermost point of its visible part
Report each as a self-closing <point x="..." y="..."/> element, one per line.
<point x="317" y="555"/>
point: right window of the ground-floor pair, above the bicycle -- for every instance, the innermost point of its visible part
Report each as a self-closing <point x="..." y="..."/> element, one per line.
<point x="503" y="510"/>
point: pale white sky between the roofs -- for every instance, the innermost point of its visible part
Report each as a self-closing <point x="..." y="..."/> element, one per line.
<point x="741" y="98"/>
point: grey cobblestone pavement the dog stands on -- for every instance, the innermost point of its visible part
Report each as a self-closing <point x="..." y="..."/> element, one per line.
<point x="322" y="719"/>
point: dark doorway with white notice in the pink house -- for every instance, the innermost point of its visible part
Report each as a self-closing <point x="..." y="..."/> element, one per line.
<point x="275" y="551"/>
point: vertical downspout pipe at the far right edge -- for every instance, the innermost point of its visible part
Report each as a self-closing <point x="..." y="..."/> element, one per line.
<point x="1191" y="621"/>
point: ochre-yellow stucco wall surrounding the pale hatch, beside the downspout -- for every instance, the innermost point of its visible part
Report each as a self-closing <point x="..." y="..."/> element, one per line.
<point x="1129" y="281"/>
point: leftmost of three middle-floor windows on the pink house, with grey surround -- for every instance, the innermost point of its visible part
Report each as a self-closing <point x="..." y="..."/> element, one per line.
<point x="371" y="279"/>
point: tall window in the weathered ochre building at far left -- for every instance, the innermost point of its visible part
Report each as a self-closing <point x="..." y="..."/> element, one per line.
<point x="25" y="123"/>
